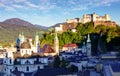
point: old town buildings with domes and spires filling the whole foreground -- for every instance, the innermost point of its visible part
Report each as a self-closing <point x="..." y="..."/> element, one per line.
<point x="28" y="60"/>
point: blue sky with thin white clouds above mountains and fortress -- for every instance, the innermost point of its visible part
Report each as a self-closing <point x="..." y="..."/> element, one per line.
<point x="50" y="12"/>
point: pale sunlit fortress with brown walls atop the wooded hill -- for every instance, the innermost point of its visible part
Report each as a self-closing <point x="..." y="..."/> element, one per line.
<point x="97" y="20"/>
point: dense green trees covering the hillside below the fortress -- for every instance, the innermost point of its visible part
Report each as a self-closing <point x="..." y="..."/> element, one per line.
<point x="101" y="36"/>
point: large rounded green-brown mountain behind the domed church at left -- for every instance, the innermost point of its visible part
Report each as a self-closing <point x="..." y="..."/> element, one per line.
<point x="11" y="28"/>
